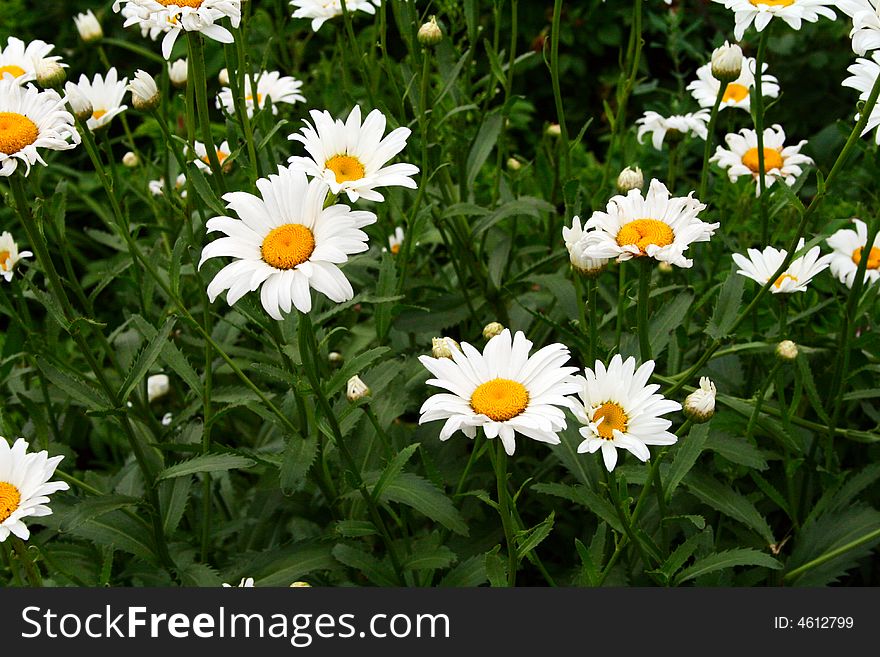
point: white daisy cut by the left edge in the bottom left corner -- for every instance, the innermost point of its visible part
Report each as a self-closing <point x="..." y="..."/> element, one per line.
<point x="24" y="486"/>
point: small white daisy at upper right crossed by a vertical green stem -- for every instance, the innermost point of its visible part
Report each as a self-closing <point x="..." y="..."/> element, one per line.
<point x="740" y="158"/>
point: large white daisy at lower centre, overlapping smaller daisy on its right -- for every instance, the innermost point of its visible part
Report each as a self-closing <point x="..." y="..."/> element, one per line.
<point x="503" y="390"/>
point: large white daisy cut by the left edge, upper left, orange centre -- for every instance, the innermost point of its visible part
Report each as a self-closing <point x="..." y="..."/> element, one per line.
<point x="31" y="119"/>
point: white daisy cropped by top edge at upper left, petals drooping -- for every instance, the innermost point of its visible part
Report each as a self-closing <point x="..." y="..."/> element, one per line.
<point x="175" y="16"/>
